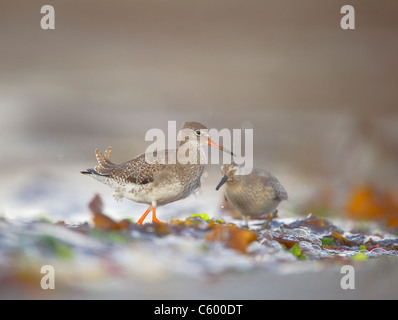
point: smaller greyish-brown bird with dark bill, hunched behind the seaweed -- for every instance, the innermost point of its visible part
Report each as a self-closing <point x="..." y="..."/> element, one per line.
<point x="252" y="194"/>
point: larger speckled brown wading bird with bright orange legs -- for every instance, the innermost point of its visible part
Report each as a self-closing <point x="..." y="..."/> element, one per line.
<point x="163" y="179"/>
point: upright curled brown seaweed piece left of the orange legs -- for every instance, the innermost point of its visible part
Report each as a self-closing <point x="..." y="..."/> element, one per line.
<point x="102" y="221"/>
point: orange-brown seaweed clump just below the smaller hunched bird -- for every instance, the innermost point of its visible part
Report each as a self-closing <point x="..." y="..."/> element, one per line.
<point x="233" y="237"/>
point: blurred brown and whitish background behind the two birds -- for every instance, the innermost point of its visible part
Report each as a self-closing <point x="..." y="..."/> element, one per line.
<point x="323" y="102"/>
